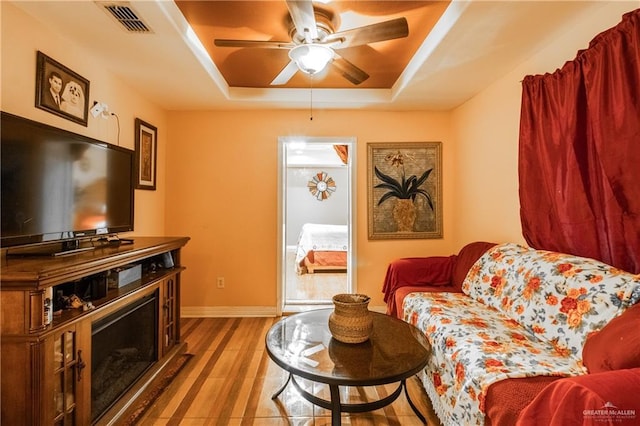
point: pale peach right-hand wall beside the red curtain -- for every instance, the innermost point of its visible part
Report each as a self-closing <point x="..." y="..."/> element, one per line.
<point x="486" y="130"/>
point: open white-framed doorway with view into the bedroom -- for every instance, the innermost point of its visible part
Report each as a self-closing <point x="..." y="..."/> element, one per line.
<point x="316" y="208"/>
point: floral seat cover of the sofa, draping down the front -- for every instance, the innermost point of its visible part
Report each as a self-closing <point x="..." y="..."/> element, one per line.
<point x="474" y="346"/>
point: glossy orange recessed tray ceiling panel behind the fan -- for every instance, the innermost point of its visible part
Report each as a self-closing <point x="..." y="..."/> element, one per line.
<point x="269" y="20"/>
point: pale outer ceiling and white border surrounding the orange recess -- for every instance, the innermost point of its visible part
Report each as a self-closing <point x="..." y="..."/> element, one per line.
<point x="473" y="44"/>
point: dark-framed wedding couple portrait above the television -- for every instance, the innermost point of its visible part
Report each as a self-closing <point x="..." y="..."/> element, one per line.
<point x="61" y="91"/>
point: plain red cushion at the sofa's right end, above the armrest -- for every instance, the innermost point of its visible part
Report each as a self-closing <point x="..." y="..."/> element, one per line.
<point x="617" y="345"/>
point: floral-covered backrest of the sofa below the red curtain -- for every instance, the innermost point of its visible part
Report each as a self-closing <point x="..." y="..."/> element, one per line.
<point x="559" y="297"/>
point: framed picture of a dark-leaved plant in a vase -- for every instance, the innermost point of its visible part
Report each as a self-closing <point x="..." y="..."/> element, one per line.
<point x="404" y="190"/>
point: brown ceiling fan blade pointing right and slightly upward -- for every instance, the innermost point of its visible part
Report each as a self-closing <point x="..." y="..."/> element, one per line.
<point x="388" y="30"/>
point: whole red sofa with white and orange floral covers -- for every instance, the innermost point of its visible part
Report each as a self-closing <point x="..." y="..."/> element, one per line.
<point x="521" y="326"/>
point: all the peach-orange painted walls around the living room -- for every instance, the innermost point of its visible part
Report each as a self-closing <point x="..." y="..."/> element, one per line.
<point x="217" y="171"/>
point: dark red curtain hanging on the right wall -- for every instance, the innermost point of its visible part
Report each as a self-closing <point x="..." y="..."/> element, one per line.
<point x="579" y="158"/>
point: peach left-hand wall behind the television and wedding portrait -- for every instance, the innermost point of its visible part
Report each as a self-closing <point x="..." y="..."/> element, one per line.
<point x="19" y="48"/>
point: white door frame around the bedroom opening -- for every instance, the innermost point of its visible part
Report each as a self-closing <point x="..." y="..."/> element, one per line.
<point x="350" y="141"/>
